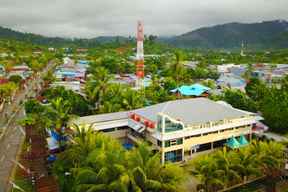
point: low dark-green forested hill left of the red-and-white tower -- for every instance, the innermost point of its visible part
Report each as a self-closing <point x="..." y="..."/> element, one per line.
<point x="6" y="33"/>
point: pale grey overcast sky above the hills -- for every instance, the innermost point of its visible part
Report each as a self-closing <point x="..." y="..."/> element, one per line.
<point x="91" y="18"/>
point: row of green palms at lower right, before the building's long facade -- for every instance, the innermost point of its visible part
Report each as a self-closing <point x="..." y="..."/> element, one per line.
<point x="225" y="168"/>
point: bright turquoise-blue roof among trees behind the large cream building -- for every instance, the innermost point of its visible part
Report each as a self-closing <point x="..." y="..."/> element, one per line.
<point x="192" y="90"/>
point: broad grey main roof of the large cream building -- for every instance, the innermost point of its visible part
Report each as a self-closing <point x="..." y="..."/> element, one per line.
<point x="191" y="111"/>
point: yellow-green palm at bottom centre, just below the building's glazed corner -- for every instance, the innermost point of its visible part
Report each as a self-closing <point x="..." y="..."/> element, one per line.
<point x="148" y="174"/>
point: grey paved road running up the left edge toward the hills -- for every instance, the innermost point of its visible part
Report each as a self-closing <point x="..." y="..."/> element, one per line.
<point x="14" y="135"/>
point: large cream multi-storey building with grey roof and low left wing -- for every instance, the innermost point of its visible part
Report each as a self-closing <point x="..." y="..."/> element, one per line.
<point x="177" y="129"/>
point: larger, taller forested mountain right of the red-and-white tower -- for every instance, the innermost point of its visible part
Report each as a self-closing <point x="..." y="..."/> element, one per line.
<point x="264" y="35"/>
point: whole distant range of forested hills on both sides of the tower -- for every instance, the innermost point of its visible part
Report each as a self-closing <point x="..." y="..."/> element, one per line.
<point x="262" y="35"/>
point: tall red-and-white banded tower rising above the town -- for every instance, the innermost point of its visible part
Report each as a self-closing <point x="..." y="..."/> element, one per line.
<point x="140" y="55"/>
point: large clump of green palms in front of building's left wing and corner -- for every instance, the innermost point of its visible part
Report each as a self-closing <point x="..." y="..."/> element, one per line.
<point x="96" y="162"/>
